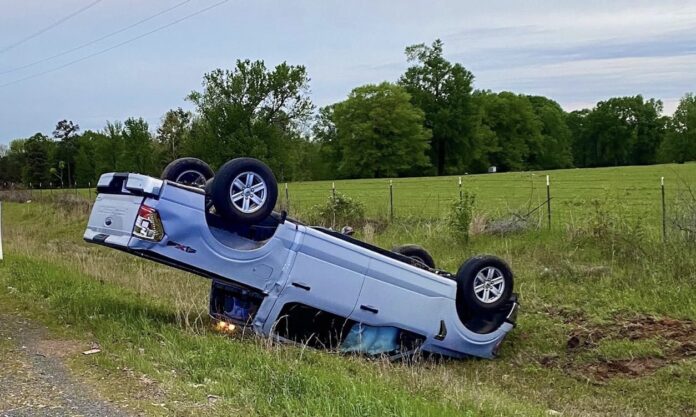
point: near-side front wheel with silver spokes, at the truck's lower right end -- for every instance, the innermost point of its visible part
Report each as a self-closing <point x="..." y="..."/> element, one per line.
<point x="467" y="297"/>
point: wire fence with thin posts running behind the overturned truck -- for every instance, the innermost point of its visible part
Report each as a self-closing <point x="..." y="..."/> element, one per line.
<point x="543" y="199"/>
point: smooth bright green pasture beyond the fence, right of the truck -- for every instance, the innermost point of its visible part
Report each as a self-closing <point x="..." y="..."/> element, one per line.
<point x="636" y="189"/>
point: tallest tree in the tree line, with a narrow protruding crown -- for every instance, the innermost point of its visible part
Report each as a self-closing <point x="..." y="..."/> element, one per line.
<point x="444" y="92"/>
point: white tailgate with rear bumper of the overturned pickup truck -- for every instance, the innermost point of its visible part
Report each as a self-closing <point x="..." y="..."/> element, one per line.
<point x="116" y="207"/>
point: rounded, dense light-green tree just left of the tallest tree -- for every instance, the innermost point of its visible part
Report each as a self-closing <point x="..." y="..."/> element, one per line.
<point x="380" y="133"/>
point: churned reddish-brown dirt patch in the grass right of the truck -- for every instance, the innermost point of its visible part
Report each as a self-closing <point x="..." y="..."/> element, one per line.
<point x="676" y="340"/>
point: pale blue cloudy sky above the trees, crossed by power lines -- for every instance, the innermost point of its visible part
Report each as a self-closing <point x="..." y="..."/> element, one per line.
<point x="576" y="52"/>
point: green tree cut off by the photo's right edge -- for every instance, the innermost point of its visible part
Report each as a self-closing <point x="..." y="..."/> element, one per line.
<point x="680" y="141"/>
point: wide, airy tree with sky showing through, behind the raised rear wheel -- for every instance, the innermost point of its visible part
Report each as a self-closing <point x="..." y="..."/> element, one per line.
<point x="250" y="111"/>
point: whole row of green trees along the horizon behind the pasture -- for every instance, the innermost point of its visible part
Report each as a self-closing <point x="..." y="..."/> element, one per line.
<point x="431" y="121"/>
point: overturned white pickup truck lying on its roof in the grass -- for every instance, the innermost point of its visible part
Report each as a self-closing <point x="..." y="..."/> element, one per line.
<point x="295" y="282"/>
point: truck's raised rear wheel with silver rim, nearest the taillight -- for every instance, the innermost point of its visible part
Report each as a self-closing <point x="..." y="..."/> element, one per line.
<point x="222" y="189"/>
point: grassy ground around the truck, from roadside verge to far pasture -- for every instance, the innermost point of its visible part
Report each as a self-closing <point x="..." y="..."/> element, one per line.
<point x="607" y="326"/>
